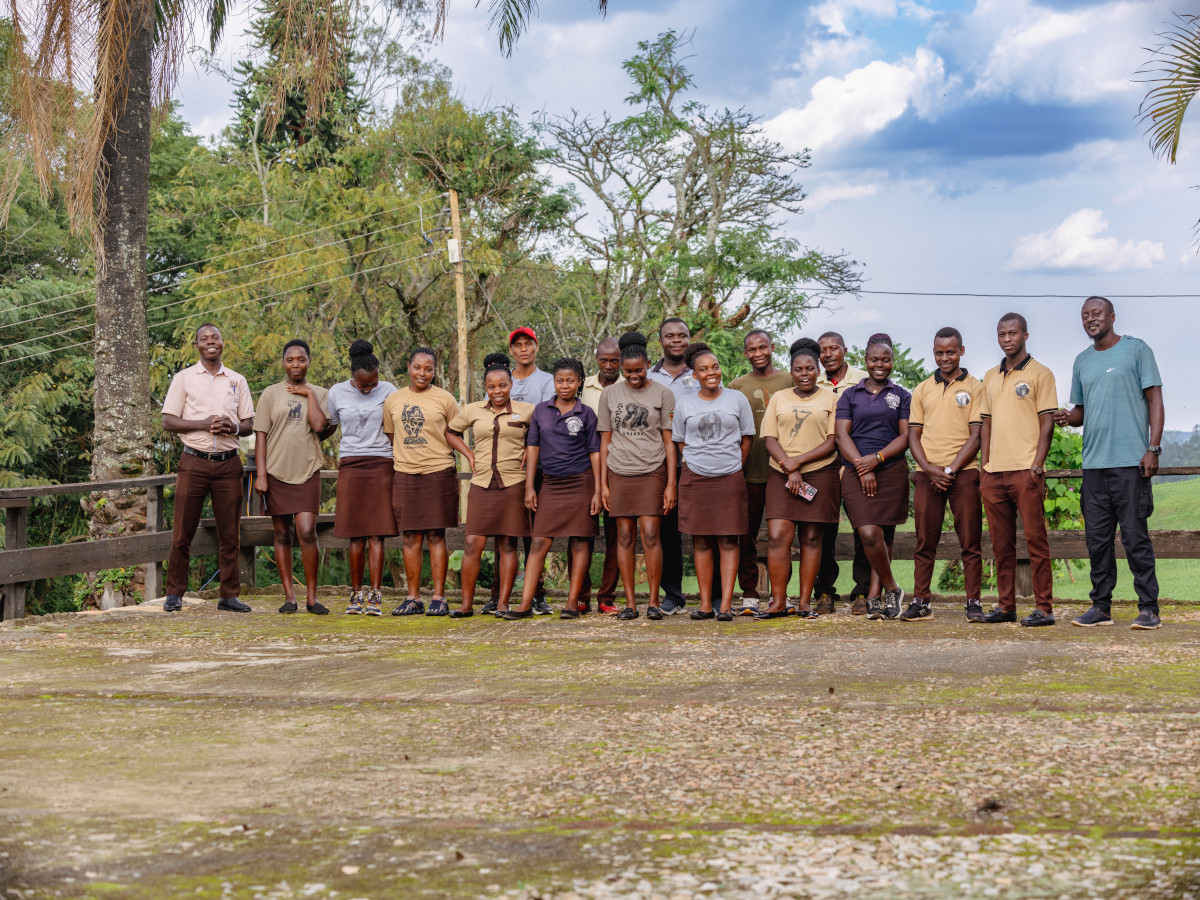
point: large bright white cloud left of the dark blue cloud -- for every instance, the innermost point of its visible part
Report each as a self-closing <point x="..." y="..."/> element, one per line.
<point x="863" y="103"/>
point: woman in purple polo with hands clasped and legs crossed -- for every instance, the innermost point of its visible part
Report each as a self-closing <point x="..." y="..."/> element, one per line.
<point x="873" y="439"/>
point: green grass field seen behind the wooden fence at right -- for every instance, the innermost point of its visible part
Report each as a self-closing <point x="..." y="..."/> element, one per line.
<point x="1177" y="508"/>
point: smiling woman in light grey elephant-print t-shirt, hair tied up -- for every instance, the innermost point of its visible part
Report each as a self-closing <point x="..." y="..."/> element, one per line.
<point x="713" y="429"/>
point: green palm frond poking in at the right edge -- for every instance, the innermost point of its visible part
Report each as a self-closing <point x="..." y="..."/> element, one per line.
<point x="1174" y="71"/>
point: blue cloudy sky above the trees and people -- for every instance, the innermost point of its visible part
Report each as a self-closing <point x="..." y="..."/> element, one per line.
<point x="987" y="147"/>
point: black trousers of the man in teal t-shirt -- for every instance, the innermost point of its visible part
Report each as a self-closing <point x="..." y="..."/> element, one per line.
<point x="1112" y="499"/>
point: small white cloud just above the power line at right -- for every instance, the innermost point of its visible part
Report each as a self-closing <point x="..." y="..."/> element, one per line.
<point x="1078" y="244"/>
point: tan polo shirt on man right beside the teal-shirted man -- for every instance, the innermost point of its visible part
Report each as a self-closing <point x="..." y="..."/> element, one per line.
<point x="1016" y="400"/>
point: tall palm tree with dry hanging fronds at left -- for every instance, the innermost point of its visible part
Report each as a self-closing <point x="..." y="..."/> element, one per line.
<point x="83" y="80"/>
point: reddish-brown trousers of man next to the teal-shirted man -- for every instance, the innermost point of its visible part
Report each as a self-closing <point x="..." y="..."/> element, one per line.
<point x="1005" y="496"/>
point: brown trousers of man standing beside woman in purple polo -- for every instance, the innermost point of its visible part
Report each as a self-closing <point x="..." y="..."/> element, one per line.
<point x="929" y="515"/>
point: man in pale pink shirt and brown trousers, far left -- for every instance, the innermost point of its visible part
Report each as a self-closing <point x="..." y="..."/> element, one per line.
<point x="209" y="407"/>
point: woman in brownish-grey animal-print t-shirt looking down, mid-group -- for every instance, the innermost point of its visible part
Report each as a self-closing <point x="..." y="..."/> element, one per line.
<point x="638" y="467"/>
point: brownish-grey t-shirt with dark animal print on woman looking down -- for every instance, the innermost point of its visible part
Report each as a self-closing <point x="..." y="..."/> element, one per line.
<point x="637" y="421"/>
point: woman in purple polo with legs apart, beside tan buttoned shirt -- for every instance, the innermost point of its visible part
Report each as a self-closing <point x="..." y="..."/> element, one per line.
<point x="563" y="440"/>
